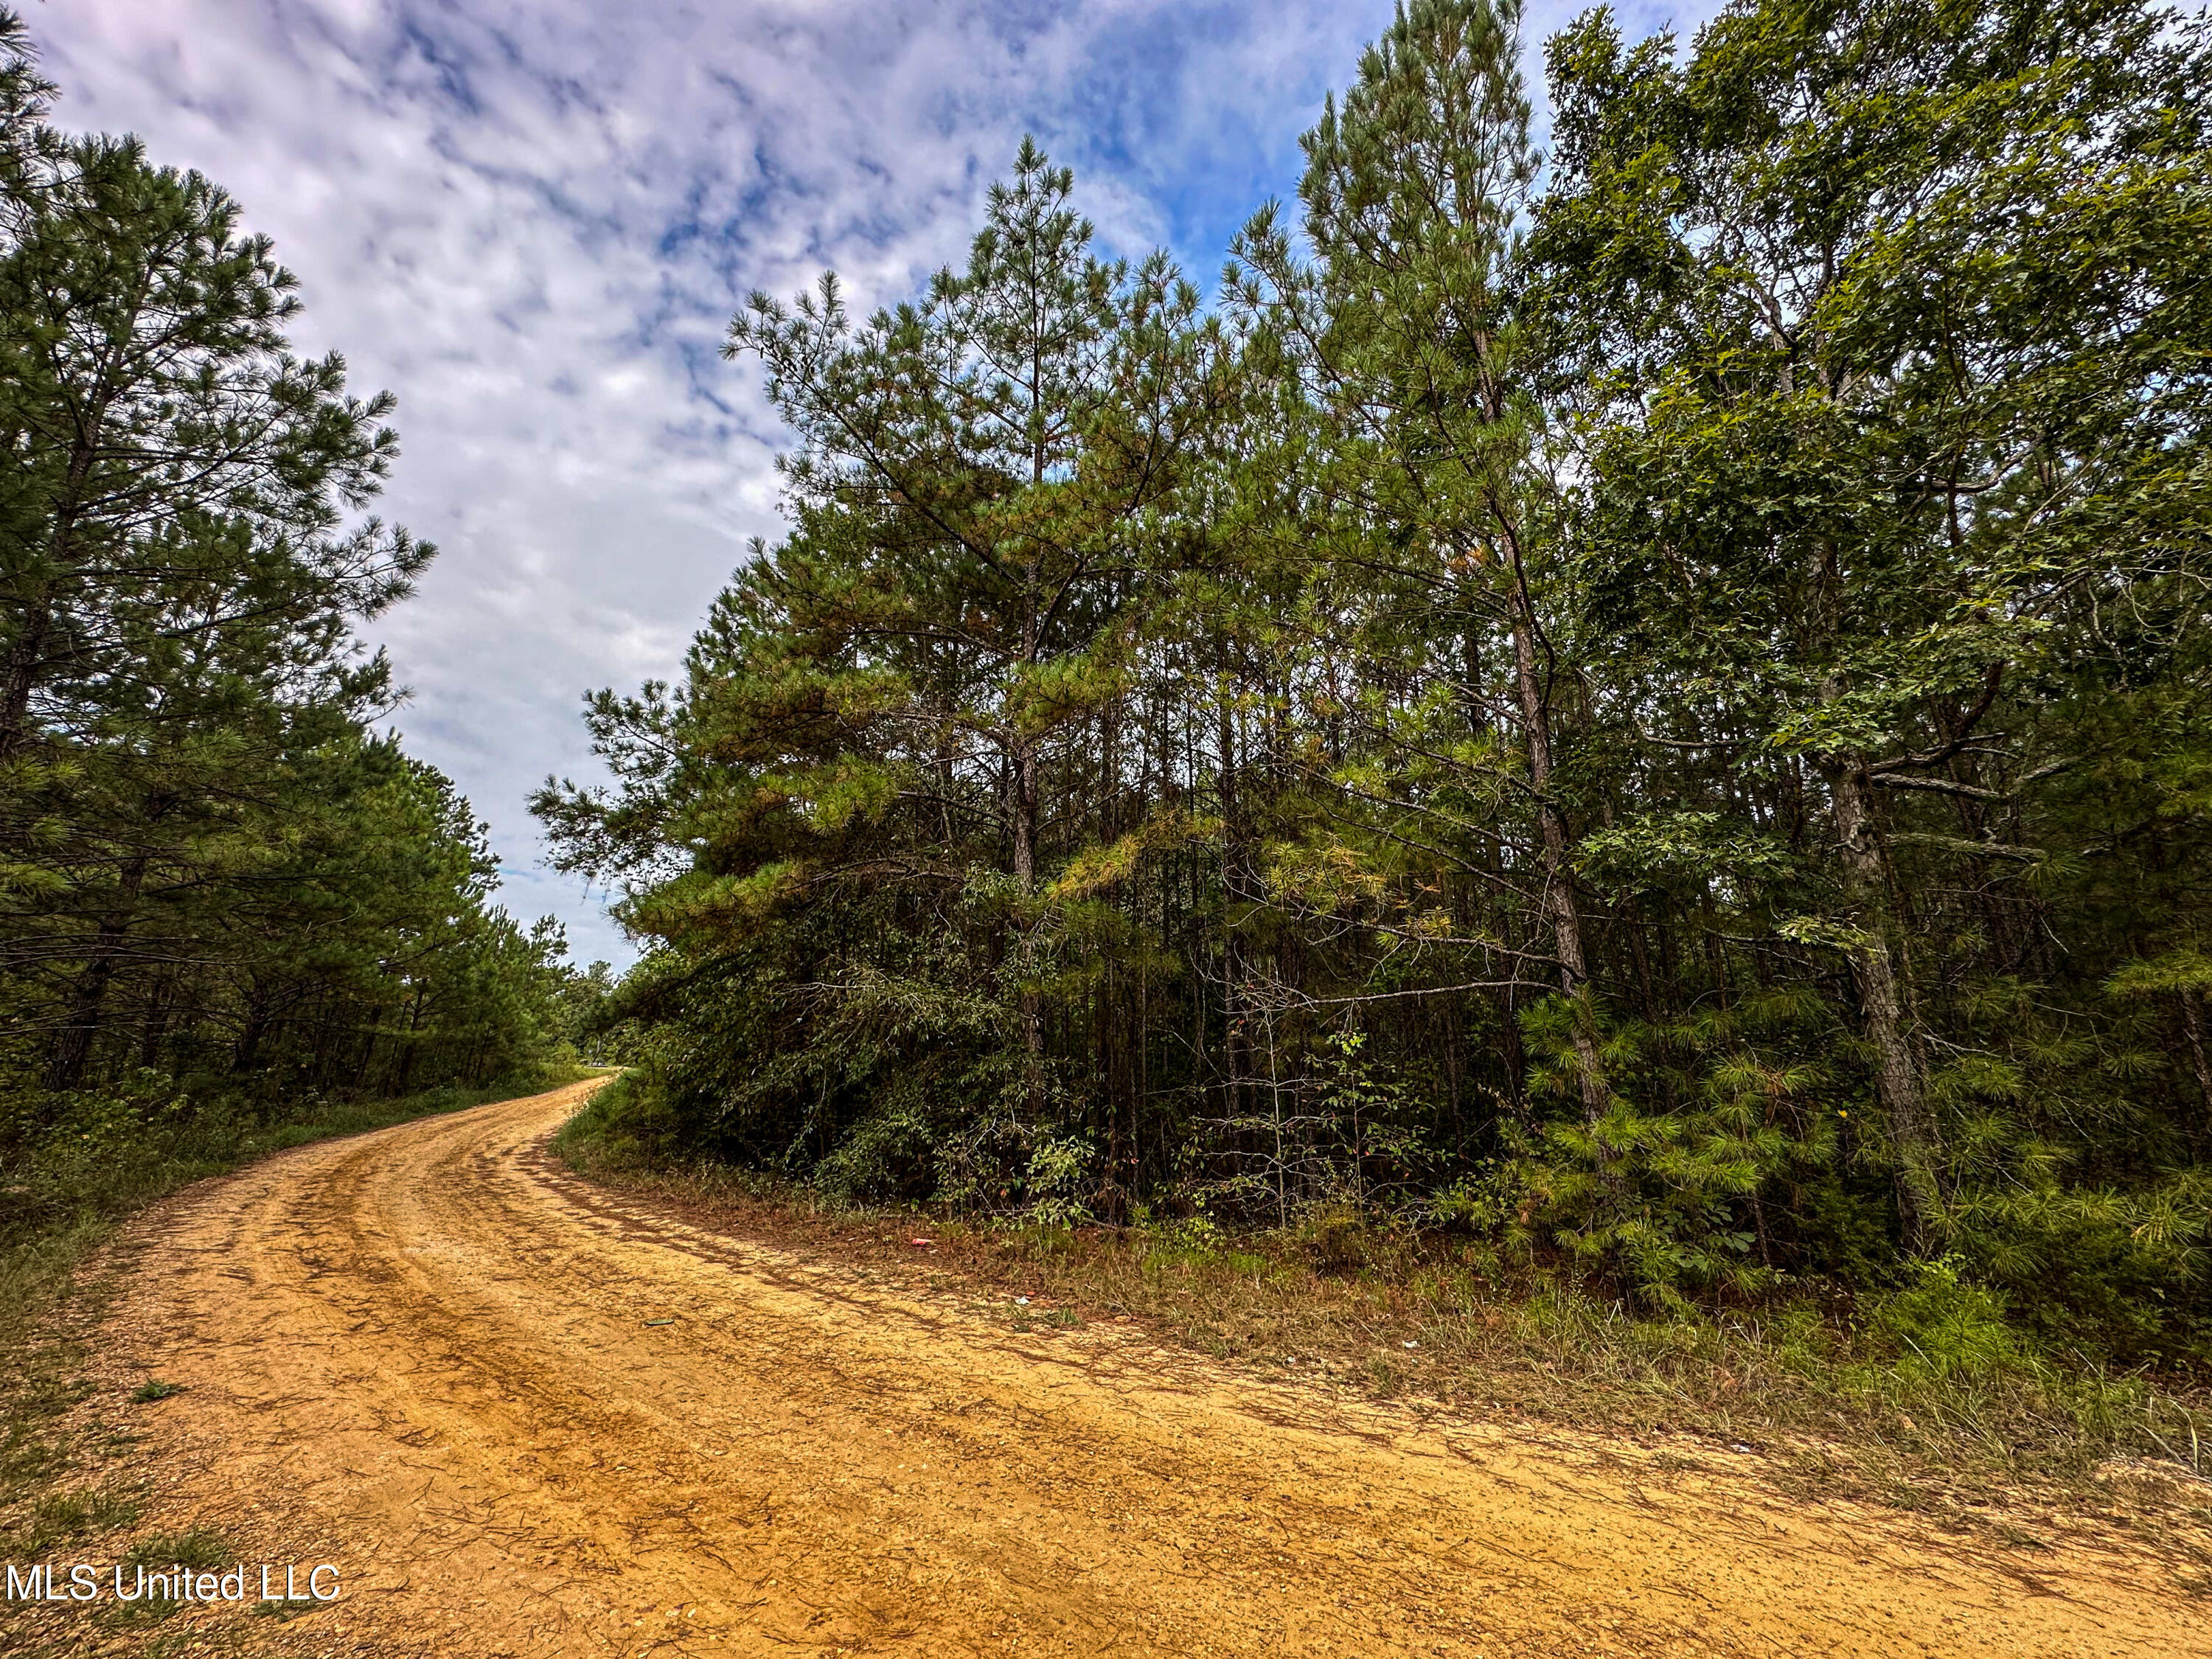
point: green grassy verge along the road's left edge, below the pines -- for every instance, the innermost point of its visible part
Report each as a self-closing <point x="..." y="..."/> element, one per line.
<point x="61" y="1207"/>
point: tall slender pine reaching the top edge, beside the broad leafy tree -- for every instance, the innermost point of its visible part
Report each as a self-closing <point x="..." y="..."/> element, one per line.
<point x="1423" y="371"/>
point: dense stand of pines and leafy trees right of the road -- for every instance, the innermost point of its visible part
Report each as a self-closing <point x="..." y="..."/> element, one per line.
<point x="1647" y="702"/>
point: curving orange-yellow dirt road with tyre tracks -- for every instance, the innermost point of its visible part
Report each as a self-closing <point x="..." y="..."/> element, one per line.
<point x="435" y="1359"/>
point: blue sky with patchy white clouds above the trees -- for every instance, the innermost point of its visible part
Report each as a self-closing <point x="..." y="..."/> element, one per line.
<point x="534" y="218"/>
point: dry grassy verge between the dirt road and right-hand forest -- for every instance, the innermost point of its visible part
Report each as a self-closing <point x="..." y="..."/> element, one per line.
<point x="1824" y="1390"/>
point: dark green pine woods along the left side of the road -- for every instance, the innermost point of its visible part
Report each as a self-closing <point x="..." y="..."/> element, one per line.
<point x="220" y="886"/>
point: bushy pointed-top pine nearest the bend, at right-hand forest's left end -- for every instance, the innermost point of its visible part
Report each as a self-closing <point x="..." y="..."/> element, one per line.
<point x="886" y="713"/>
